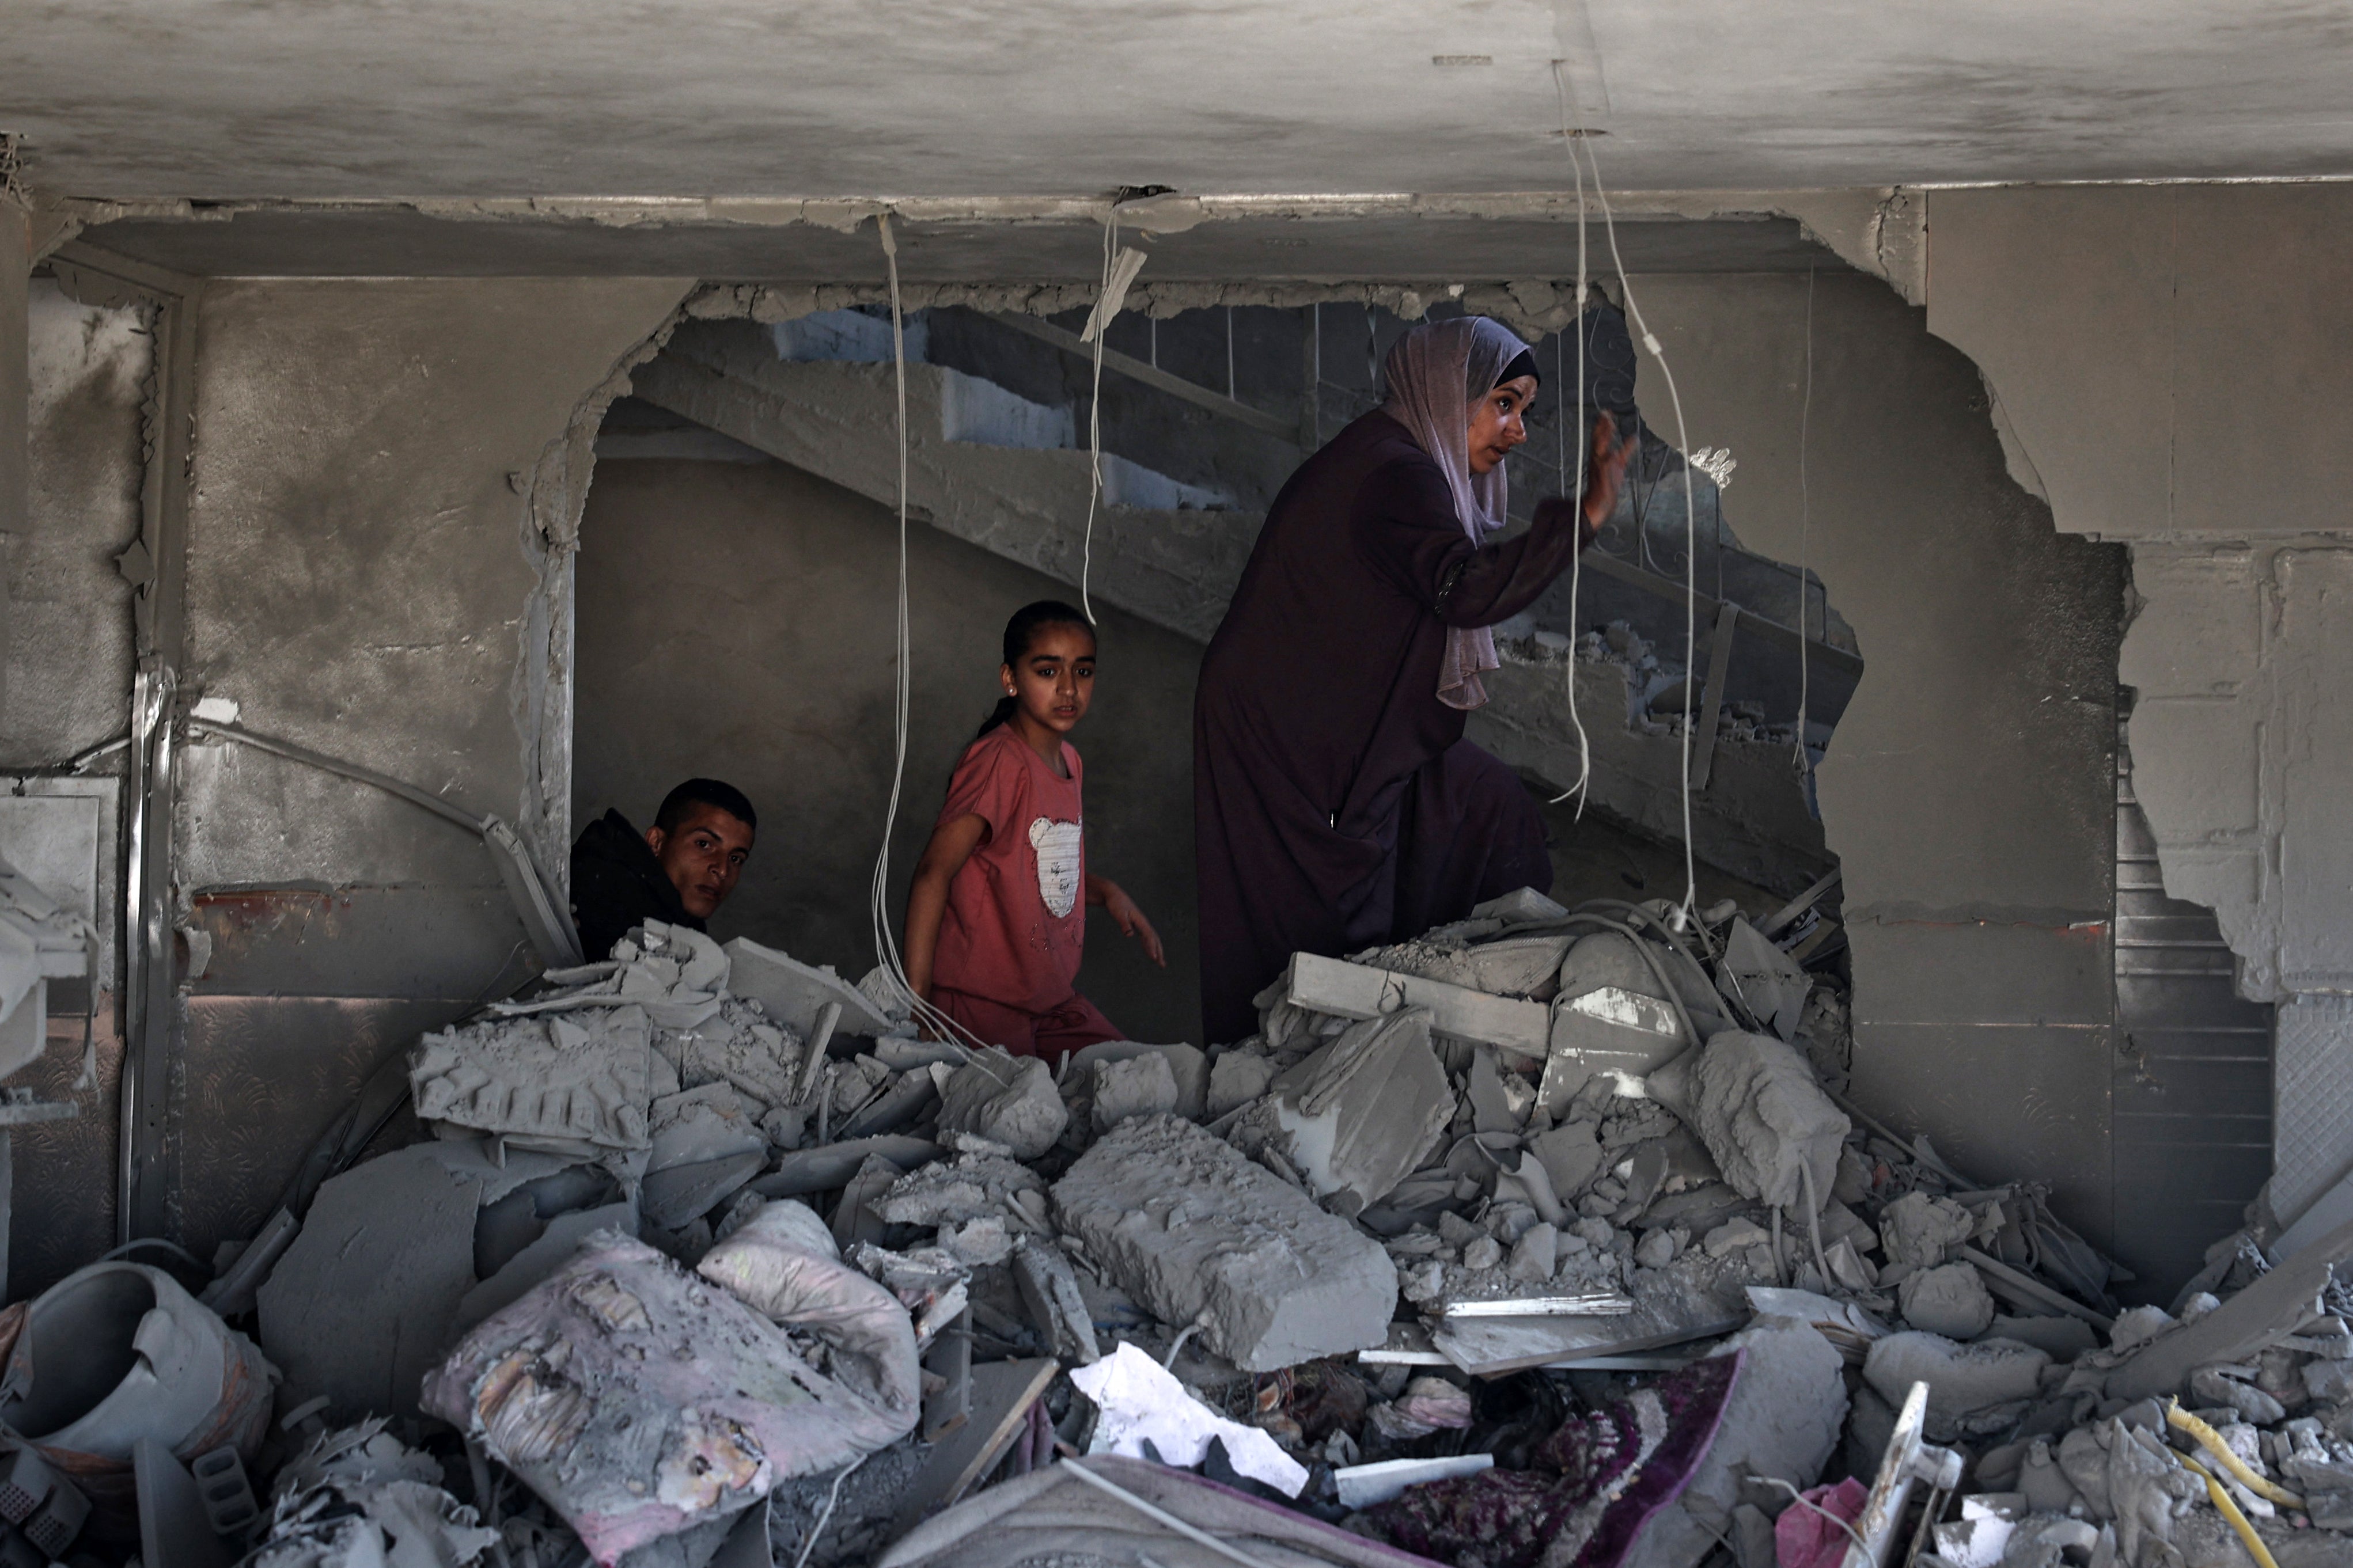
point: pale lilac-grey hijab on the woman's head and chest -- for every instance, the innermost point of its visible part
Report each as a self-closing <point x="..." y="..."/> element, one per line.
<point x="1434" y="375"/>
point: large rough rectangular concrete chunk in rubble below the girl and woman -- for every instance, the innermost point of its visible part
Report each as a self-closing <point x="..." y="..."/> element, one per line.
<point x="1199" y="1233"/>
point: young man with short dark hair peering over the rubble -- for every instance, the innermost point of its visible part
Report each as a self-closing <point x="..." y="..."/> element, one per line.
<point x="679" y="871"/>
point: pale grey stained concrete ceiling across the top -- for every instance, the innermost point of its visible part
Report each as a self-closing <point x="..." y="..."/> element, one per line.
<point x="1062" y="98"/>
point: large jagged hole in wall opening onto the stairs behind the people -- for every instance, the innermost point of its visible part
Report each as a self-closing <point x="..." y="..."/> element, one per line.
<point x="735" y="565"/>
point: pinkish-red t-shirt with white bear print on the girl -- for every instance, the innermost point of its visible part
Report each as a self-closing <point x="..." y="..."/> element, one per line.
<point x="1018" y="909"/>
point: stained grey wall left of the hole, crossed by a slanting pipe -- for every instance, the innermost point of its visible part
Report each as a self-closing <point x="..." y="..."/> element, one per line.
<point x="371" y="565"/>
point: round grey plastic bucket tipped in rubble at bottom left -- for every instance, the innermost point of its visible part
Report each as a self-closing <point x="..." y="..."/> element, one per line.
<point x="119" y="1353"/>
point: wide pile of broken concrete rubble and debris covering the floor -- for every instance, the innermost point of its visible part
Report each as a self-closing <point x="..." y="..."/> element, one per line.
<point x="1545" y="1238"/>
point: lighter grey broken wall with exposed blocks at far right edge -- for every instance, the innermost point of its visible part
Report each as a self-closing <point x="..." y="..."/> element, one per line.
<point x="2171" y="368"/>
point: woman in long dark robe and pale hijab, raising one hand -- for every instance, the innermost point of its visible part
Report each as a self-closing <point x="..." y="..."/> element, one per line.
<point x="1335" y="798"/>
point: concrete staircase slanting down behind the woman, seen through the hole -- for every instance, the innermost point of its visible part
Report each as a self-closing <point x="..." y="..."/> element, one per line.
<point x="1011" y="476"/>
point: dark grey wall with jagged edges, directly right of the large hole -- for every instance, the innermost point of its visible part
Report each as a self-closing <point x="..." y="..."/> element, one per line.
<point x="1971" y="786"/>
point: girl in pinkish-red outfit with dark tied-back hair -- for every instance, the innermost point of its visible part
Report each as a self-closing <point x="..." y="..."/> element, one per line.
<point x="996" y="916"/>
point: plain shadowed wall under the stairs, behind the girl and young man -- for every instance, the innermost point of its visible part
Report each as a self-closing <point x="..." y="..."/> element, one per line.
<point x="735" y="619"/>
